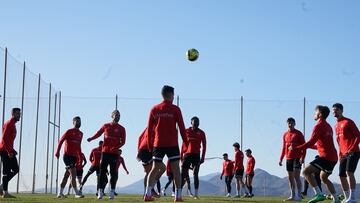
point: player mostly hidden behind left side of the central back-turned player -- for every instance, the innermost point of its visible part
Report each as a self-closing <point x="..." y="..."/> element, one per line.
<point x="145" y="156"/>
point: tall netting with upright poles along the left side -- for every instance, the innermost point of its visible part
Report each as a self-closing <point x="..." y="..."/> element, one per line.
<point x="26" y="91"/>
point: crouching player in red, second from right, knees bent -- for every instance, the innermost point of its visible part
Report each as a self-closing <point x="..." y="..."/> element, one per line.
<point x="322" y="136"/>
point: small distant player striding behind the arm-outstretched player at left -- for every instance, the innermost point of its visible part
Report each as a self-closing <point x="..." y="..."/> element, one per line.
<point x="95" y="157"/>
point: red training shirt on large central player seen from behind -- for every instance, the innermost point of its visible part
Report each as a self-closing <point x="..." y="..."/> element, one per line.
<point x="162" y="125"/>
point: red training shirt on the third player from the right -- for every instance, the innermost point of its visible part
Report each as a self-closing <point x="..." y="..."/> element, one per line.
<point x="292" y="138"/>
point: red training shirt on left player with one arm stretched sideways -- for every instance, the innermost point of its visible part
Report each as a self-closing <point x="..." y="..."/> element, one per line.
<point x="114" y="137"/>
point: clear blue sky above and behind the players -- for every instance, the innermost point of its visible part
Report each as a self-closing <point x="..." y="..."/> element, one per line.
<point x="273" y="53"/>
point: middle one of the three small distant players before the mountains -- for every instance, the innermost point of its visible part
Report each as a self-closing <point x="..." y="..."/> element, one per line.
<point x="239" y="170"/>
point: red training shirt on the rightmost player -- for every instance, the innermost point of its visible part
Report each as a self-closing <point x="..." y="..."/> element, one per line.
<point x="347" y="136"/>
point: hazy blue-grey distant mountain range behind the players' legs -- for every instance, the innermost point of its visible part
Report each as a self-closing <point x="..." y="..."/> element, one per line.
<point x="264" y="184"/>
